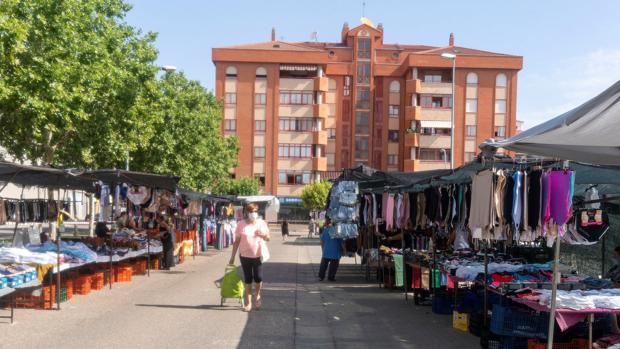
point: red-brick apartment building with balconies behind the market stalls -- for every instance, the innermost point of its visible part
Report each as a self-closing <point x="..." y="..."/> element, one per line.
<point x="304" y="109"/>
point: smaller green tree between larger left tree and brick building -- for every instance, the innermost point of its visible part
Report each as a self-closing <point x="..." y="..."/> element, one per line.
<point x="187" y="141"/>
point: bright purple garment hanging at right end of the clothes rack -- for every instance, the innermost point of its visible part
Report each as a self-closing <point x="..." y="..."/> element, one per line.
<point x="560" y="197"/>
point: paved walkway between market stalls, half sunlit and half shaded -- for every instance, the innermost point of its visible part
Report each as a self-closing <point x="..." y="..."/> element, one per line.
<point x="181" y="308"/>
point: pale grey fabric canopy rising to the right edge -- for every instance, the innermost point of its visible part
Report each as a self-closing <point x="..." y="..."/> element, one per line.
<point x="588" y="133"/>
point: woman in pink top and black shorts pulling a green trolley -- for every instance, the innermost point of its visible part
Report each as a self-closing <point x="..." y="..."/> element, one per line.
<point x="249" y="237"/>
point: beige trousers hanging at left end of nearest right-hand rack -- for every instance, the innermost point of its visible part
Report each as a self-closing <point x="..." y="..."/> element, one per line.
<point x="480" y="220"/>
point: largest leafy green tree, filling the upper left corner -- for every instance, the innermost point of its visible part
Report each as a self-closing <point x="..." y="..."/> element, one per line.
<point x="76" y="82"/>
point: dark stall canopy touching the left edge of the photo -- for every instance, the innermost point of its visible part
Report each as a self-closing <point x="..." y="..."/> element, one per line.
<point x="46" y="177"/>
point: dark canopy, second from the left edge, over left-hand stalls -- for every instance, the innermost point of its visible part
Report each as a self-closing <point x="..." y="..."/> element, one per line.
<point x="134" y="178"/>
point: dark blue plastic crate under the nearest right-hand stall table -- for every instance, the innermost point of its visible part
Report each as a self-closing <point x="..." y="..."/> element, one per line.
<point x="517" y="322"/>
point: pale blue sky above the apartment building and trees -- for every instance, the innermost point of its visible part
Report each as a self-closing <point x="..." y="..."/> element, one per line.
<point x="571" y="48"/>
